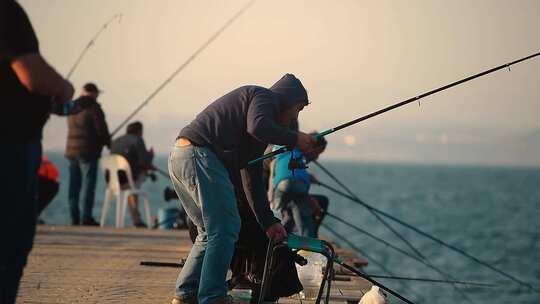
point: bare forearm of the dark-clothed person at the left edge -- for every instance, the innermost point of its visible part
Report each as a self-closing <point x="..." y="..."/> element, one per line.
<point x="40" y="78"/>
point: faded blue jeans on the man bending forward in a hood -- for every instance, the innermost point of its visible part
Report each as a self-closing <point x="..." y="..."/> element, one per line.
<point x="207" y="195"/>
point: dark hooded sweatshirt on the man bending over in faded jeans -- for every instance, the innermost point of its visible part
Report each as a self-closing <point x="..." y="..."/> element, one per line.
<point x="239" y="126"/>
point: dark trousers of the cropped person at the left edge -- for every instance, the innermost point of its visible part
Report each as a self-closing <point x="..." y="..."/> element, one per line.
<point x="18" y="187"/>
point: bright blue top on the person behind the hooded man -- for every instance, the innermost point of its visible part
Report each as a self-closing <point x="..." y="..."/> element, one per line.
<point x="281" y="168"/>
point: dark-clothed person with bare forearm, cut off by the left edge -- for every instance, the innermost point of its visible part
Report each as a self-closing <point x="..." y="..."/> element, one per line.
<point x="27" y="84"/>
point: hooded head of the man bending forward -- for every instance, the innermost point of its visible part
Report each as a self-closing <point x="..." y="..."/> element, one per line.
<point x="293" y="98"/>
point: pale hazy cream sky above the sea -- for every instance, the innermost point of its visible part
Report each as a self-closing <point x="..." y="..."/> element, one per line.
<point x="354" y="57"/>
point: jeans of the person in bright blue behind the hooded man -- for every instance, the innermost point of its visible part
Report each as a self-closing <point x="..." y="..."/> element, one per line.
<point x="291" y="200"/>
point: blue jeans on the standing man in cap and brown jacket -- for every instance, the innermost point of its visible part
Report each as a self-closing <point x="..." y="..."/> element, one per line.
<point x="79" y="170"/>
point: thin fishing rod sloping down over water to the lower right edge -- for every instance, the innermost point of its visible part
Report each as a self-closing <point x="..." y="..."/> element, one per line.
<point x="433" y="238"/>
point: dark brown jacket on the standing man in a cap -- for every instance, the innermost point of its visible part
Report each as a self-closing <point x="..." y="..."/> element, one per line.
<point x="88" y="131"/>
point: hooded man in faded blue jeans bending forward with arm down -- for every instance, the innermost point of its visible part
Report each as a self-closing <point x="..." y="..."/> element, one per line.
<point x="209" y="162"/>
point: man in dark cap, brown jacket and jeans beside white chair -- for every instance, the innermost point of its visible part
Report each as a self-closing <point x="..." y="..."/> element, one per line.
<point x="87" y="134"/>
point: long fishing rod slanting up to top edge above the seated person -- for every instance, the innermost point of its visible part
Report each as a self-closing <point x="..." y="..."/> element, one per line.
<point x="184" y="65"/>
